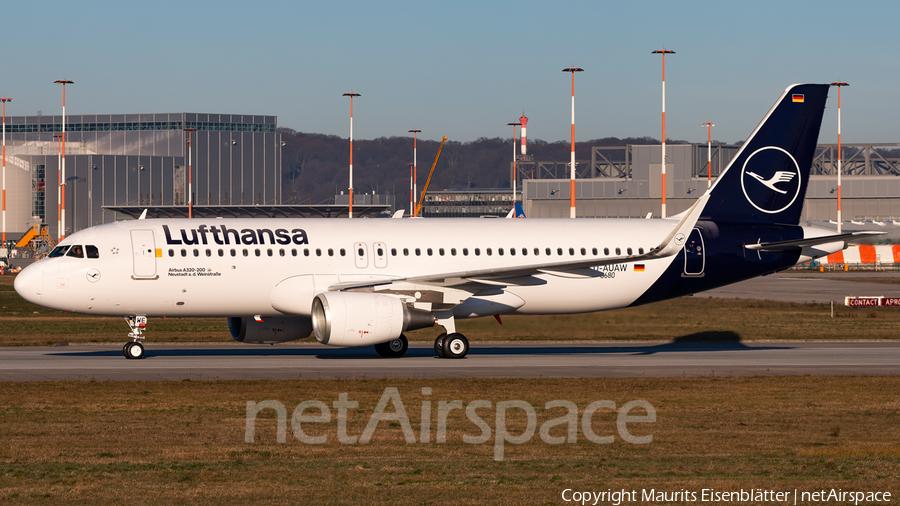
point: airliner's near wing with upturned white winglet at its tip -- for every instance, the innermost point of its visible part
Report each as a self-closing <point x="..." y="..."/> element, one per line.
<point x="671" y="245"/>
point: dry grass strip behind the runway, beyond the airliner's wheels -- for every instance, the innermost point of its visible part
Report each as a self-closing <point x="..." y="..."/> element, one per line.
<point x="22" y="323"/>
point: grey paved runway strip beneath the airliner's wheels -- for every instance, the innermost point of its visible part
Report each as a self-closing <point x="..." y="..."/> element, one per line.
<point x="520" y="360"/>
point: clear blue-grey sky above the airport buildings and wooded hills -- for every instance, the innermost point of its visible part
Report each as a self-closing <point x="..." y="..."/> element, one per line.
<point x="461" y="69"/>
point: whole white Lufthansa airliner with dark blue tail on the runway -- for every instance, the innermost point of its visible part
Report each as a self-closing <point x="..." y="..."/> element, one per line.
<point x="364" y="282"/>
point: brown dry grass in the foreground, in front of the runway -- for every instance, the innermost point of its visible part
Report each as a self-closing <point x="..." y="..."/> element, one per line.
<point x="152" y="443"/>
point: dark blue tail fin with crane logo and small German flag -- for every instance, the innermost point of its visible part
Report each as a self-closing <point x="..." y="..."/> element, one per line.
<point x="766" y="181"/>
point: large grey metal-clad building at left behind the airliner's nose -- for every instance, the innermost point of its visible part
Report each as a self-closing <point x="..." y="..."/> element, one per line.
<point x="138" y="159"/>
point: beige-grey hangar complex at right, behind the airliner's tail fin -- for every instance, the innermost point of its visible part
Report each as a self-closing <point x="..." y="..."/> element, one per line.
<point x="625" y="182"/>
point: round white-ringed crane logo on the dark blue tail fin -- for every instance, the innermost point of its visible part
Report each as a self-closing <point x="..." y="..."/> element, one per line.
<point x="771" y="179"/>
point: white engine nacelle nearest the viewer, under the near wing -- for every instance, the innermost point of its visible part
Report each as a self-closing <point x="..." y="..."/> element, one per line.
<point x="361" y="319"/>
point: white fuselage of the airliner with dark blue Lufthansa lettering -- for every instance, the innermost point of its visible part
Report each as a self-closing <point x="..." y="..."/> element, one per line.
<point x="227" y="267"/>
